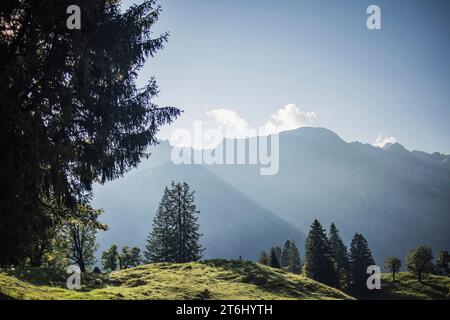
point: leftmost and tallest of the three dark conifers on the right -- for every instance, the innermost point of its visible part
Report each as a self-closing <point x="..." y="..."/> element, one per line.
<point x="319" y="264"/>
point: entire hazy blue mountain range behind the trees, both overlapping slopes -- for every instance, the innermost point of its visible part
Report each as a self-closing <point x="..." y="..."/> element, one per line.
<point x="398" y="199"/>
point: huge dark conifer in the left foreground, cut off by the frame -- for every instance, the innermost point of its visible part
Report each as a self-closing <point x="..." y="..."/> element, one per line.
<point x="71" y="112"/>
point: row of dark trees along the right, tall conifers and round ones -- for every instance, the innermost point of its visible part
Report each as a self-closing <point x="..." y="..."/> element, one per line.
<point x="328" y="261"/>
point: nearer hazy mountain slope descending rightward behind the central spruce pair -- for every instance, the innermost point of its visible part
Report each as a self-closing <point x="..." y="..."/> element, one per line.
<point x="231" y="223"/>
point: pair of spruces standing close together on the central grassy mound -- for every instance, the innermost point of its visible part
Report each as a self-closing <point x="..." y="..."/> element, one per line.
<point x="175" y="236"/>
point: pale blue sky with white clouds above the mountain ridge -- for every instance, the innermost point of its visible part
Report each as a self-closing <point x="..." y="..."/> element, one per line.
<point x="279" y="65"/>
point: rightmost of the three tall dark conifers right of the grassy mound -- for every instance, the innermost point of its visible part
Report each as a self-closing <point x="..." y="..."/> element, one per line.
<point x="360" y="259"/>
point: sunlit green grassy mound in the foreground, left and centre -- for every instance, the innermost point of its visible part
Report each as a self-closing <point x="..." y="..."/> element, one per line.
<point x="211" y="279"/>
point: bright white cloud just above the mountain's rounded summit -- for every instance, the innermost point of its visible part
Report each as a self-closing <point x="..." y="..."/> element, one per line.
<point x="288" y="118"/>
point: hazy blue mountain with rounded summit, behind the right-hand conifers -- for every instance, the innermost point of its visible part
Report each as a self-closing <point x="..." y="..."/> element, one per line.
<point x="396" y="200"/>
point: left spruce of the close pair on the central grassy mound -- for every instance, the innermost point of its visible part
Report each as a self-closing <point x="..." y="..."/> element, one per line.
<point x="160" y="243"/>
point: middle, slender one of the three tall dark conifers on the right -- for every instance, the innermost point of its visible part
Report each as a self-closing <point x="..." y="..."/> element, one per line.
<point x="340" y="256"/>
